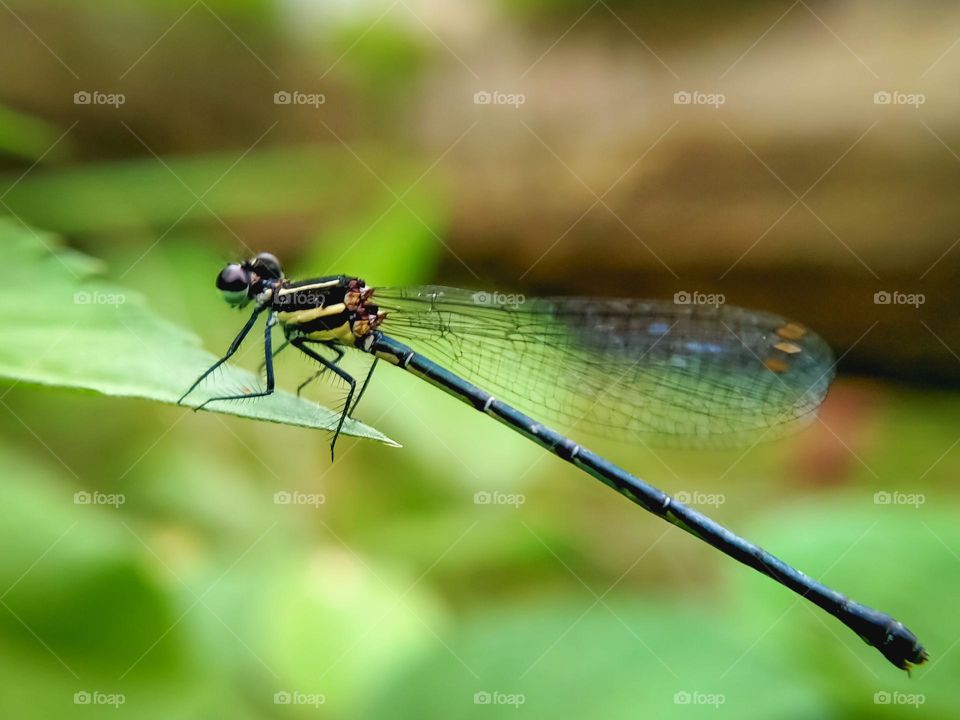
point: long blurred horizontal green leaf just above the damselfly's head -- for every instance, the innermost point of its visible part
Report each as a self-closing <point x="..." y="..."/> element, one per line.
<point x="146" y="193"/>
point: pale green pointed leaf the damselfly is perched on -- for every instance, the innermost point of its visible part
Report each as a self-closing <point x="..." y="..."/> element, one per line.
<point x="68" y="328"/>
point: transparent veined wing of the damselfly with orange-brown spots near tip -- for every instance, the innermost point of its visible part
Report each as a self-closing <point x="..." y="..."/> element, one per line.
<point x="651" y="370"/>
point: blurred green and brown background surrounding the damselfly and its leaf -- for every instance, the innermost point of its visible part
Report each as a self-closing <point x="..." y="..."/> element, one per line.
<point x="824" y="170"/>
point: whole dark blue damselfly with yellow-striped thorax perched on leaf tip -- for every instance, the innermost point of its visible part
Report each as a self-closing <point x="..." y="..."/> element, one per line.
<point x="637" y="370"/>
